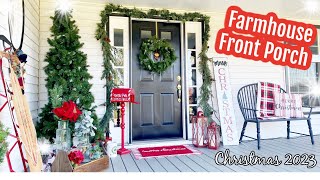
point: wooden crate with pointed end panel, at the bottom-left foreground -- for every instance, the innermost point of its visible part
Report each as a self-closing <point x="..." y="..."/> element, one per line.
<point x="62" y="164"/>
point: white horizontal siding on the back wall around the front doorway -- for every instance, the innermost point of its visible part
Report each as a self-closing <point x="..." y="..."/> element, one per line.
<point x="242" y="72"/>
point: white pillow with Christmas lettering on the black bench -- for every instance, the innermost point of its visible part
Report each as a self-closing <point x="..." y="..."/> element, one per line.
<point x="288" y="105"/>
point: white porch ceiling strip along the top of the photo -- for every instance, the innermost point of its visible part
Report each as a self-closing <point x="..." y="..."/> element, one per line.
<point x="283" y="8"/>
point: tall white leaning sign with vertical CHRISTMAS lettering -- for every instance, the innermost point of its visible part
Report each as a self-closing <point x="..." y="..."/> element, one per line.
<point x="225" y="103"/>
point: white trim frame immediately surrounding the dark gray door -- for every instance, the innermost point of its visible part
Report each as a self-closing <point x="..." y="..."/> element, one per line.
<point x="184" y="102"/>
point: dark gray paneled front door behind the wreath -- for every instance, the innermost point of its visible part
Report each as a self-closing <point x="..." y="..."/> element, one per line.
<point x="159" y="113"/>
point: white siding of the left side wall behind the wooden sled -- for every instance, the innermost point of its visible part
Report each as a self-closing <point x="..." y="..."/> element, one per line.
<point x="31" y="48"/>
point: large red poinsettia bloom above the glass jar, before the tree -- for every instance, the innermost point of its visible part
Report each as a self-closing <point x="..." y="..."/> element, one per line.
<point x="68" y="111"/>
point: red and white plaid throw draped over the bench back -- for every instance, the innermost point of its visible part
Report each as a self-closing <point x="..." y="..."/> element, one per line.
<point x="267" y="98"/>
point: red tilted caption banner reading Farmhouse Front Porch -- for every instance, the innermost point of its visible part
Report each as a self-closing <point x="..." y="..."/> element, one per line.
<point x="266" y="38"/>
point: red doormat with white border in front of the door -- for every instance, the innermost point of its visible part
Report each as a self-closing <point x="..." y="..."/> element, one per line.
<point x="164" y="151"/>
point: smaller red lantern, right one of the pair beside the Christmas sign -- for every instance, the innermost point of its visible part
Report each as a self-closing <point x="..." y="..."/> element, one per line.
<point x="213" y="136"/>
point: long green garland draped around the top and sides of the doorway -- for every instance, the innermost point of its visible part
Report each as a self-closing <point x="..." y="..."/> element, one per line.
<point x="102" y="34"/>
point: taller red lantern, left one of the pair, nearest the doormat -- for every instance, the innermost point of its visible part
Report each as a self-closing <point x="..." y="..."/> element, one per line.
<point x="199" y="130"/>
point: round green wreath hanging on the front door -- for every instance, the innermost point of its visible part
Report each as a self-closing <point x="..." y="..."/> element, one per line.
<point x="156" y="47"/>
